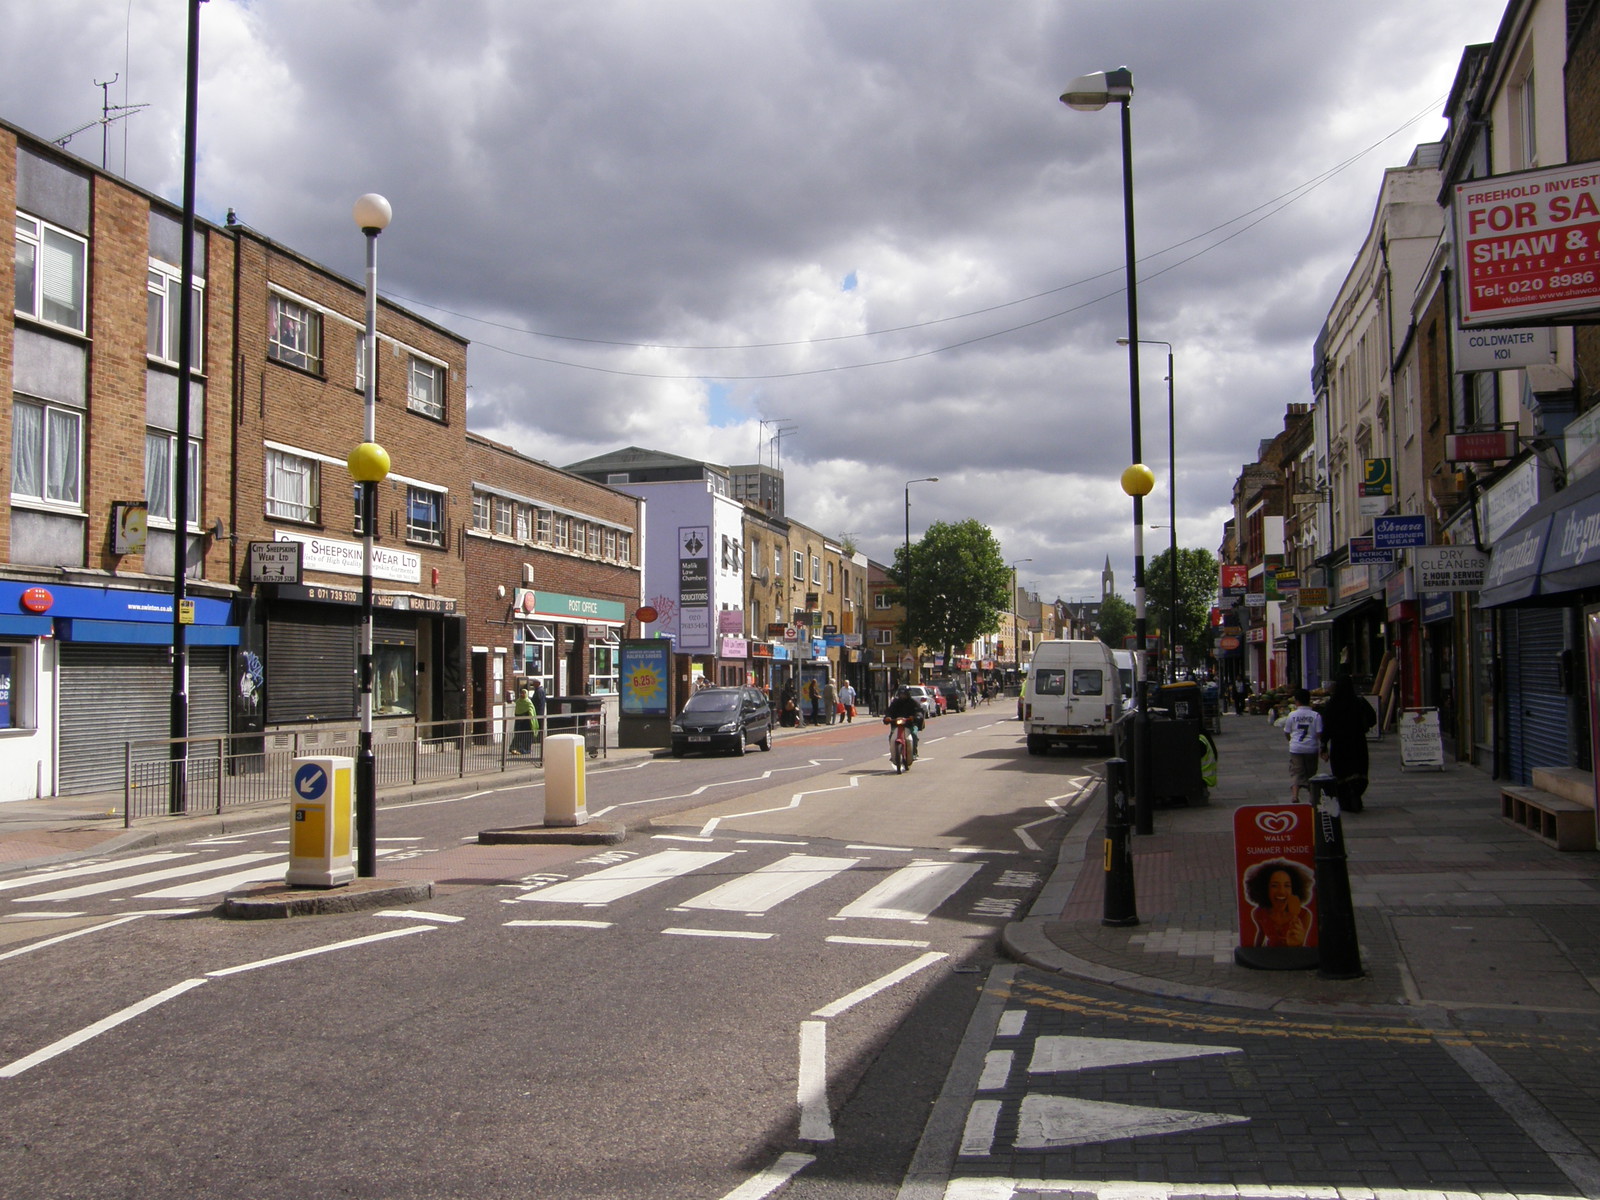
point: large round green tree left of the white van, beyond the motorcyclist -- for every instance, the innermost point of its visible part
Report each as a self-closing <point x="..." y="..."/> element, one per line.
<point x="959" y="585"/>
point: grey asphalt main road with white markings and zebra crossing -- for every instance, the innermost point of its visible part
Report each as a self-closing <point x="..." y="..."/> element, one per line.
<point x="774" y="972"/>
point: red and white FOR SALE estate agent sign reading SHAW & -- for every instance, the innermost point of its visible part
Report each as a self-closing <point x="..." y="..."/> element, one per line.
<point x="1529" y="246"/>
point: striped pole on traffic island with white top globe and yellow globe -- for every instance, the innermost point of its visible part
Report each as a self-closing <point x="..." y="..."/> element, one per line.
<point x="369" y="465"/>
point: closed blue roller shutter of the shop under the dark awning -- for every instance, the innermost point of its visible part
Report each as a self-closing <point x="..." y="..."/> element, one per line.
<point x="1537" y="710"/>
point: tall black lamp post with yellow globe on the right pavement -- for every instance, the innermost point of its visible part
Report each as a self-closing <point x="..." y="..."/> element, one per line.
<point x="1092" y="94"/>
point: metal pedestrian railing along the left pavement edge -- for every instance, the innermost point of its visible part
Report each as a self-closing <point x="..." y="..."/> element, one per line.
<point x="222" y="774"/>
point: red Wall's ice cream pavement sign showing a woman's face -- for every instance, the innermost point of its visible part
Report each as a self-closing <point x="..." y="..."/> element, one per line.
<point x="1276" y="873"/>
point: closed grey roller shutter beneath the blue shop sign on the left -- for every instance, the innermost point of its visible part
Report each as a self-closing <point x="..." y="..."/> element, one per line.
<point x="114" y="694"/>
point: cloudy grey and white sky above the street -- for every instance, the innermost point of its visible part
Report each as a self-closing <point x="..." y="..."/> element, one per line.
<point x="871" y="225"/>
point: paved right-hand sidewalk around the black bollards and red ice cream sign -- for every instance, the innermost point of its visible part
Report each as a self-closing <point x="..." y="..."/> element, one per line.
<point x="1457" y="910"/>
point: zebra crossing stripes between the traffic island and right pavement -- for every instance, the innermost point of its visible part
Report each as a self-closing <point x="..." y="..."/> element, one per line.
<point x="908" y="894"/>
